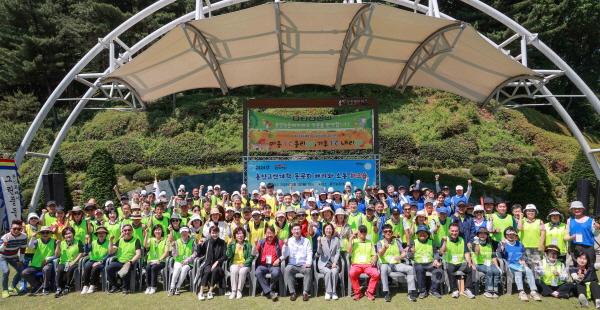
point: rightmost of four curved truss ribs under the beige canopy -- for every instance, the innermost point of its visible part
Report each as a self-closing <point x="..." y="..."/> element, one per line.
<point x="435" y="44"/>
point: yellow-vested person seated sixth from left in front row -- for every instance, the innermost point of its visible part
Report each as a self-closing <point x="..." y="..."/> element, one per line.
<point x="157" y="247"/>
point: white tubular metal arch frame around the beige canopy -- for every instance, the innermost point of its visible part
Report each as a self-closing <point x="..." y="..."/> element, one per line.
<point x="431" y="9"/>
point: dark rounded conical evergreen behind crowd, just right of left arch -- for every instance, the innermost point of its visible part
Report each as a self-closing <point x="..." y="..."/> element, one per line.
<point x="100" y="177"/>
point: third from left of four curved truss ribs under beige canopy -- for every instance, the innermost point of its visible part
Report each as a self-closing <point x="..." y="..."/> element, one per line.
<point x="359" y="25"/>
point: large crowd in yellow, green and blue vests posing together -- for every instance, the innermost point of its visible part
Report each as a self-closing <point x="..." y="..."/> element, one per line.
<point x="437" y="241"/>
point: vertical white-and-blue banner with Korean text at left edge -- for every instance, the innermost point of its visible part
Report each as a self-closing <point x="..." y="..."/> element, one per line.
<point x="10" y="195"/>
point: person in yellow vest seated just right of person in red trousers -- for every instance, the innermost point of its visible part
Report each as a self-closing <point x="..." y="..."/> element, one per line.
<point x="391" y="253"/>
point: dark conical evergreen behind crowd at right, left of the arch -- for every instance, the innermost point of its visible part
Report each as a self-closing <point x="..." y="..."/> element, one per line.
<point x="532" y="185"/>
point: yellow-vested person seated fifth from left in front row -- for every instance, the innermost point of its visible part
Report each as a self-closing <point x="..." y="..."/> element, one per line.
<point x="127" y="251"/>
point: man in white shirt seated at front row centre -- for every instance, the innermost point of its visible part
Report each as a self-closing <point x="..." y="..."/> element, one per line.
<point x="298" y="250"/>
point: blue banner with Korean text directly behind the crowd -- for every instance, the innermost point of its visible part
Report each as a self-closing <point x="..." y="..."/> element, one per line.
<point x="305" y="174"/>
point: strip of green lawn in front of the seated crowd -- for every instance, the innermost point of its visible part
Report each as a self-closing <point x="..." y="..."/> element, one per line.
<point x="188" y="301"/>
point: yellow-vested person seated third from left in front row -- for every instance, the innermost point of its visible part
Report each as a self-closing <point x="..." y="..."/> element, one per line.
<point x="71" y="250"/>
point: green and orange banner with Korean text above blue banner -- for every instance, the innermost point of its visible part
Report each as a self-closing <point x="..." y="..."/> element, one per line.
<point x="350" y="131"/>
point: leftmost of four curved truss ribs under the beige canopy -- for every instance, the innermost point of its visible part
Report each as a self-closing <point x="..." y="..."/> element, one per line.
<point x="201" y="46"/>
